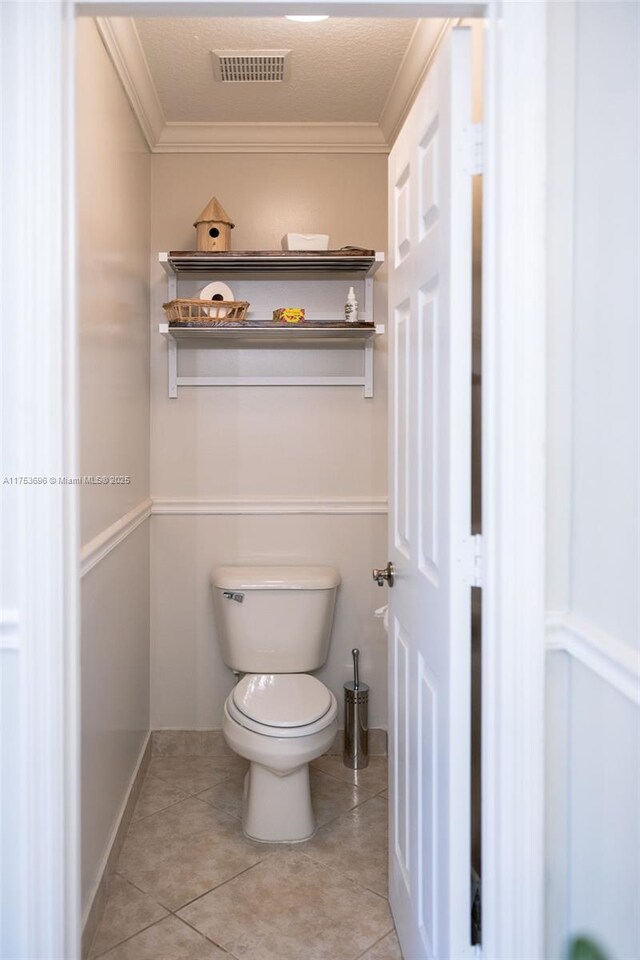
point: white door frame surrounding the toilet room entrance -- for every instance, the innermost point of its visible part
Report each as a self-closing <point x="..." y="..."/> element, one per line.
<point x="41" y="89"/>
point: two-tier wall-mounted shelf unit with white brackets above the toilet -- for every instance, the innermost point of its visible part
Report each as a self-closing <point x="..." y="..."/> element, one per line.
<point x="350" y="264"/>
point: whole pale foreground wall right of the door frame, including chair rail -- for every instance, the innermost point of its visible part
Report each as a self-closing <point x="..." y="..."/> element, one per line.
<point x="593" y="677"/>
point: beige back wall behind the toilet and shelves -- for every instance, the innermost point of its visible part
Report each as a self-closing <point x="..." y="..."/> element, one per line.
<point x="274" y="442"/>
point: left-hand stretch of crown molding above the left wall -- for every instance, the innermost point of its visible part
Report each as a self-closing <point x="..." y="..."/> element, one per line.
<point x="122" y="43"/>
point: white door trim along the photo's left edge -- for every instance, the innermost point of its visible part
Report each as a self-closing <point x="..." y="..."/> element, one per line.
<point x="40" y="781"/>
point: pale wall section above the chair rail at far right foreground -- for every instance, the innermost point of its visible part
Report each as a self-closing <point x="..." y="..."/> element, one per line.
<point x="606" y="342"/>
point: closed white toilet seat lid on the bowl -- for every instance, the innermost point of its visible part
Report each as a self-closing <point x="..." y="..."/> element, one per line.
<point x="282" y="705"/>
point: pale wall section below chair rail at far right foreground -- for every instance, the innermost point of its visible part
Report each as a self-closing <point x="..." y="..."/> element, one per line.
<point x="604" y="819"/>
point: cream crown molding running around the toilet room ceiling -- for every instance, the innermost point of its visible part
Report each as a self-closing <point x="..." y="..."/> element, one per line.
<point x="122" y="42"/>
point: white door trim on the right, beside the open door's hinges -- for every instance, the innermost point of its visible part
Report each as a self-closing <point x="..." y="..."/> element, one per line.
<point x="514" y="316"/>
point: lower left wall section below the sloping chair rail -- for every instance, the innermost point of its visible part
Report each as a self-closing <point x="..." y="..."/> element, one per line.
<point x="115" y="691"/>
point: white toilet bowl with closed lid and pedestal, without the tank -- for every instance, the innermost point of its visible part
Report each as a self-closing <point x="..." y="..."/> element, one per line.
<point x="280" y="723"/>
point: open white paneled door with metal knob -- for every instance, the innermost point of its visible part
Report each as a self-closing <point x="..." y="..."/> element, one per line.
<point x="430" y="214"/>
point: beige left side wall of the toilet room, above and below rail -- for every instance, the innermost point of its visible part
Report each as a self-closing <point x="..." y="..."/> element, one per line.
<point x="113" y="242"/>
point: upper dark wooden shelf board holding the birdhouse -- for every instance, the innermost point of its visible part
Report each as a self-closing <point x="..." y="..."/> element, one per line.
<point x="345" y="264"/>
